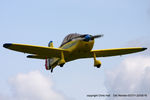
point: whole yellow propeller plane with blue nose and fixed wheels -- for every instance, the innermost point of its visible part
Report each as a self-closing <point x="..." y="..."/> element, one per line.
<point x="74" y="46"/>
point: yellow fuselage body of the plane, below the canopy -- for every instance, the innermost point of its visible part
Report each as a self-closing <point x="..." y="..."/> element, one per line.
<point x="77" y="48"/>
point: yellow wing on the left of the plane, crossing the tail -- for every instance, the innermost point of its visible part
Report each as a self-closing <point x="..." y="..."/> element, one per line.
<point x="39" y="51"/>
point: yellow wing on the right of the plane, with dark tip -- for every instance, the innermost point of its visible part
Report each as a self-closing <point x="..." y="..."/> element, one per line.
<point x="116" y="51"/>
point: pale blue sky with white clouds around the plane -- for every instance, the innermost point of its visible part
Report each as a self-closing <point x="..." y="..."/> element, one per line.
<point x="124" y="23"/>
